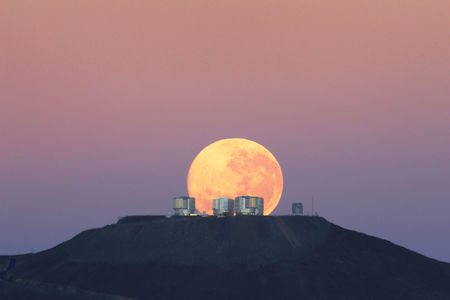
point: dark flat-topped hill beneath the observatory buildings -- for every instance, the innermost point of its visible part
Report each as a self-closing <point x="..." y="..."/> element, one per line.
<point x="274" y="257"/>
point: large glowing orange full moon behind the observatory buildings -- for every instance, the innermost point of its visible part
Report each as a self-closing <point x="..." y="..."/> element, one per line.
<point x="235" y="167"/>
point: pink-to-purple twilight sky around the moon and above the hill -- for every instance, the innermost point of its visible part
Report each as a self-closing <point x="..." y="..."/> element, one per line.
<point x="104" y="105"/>
